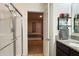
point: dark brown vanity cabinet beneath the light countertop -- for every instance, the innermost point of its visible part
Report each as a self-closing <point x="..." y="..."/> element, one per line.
<point x="63" y="50"/>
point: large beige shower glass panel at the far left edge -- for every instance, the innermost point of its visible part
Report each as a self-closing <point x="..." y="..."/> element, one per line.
<point x="6" y="35"/>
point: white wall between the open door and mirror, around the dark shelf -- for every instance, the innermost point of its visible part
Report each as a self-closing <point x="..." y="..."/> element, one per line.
<point x="55" y="10"/>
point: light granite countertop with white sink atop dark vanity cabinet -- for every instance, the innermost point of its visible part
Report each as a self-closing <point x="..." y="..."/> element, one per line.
<point x="74" y="44"/>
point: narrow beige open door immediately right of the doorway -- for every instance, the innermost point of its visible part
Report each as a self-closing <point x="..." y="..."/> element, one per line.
<point x="46" y="32"/>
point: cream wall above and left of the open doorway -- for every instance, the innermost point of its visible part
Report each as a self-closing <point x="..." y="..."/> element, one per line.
<point x="24" y="8"/>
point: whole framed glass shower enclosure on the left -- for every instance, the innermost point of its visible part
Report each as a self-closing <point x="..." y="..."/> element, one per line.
<point x="11" y="31"/>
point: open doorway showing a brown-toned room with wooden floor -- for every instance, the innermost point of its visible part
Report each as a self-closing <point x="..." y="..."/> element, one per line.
<point x="35" y="33"/>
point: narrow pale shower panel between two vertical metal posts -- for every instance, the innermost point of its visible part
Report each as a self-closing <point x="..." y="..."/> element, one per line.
<point x="18" y="36"/>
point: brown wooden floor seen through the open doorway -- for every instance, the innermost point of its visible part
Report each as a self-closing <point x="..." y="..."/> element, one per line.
<point x="35" y="48"/>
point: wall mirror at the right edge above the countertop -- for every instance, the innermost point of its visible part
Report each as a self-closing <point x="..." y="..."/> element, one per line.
<point x="75" y="17"/>
